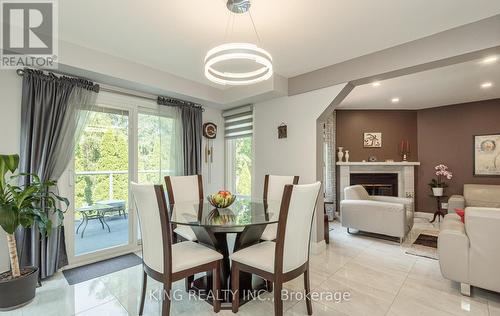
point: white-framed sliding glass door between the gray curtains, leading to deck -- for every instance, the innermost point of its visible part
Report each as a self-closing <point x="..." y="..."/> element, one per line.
<point x="125" y="139"/>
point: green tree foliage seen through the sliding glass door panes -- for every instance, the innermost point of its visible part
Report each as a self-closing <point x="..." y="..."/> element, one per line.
<point x="103" y="146"/>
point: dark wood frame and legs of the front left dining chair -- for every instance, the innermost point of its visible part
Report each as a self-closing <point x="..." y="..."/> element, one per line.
<point x="167" y="277"/>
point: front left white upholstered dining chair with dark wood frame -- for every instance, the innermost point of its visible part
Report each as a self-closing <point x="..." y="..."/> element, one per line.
<point x="163" y="261"/>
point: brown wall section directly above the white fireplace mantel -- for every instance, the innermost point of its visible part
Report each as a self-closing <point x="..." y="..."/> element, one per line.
<point x="394" y="126"/>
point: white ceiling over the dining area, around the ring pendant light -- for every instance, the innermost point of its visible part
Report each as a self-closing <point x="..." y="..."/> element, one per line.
<point x="174" y="35"/>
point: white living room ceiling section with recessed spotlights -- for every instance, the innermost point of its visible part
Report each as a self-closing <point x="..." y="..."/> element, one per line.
<point x="459" y="83"/>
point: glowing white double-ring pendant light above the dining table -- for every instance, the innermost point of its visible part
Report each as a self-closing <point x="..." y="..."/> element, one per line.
<point x="238" y="51"/>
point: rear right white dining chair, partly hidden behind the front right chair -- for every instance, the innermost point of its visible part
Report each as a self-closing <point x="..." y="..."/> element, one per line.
<point x="273" y="191"/>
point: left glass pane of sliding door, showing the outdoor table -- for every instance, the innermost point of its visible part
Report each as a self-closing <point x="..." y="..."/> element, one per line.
<point x="102" y="174"/>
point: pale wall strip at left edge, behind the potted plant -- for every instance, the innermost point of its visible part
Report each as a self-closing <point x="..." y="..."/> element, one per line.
<point x="10" y="123"/>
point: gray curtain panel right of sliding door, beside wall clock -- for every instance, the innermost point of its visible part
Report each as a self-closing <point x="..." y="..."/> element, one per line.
<point x="192" y="134"/>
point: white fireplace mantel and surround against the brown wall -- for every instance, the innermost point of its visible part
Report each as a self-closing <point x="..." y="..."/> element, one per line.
<point x="404" y="169"/>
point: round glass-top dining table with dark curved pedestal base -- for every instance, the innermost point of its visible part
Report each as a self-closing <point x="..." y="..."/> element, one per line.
<point x="245" y="220"/>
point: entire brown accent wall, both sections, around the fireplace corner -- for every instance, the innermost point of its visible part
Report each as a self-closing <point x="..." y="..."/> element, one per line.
<point x="437" y="135"/>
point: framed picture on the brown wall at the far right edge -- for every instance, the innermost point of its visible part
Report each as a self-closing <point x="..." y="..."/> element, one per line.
<point x="487" y="155"/>
